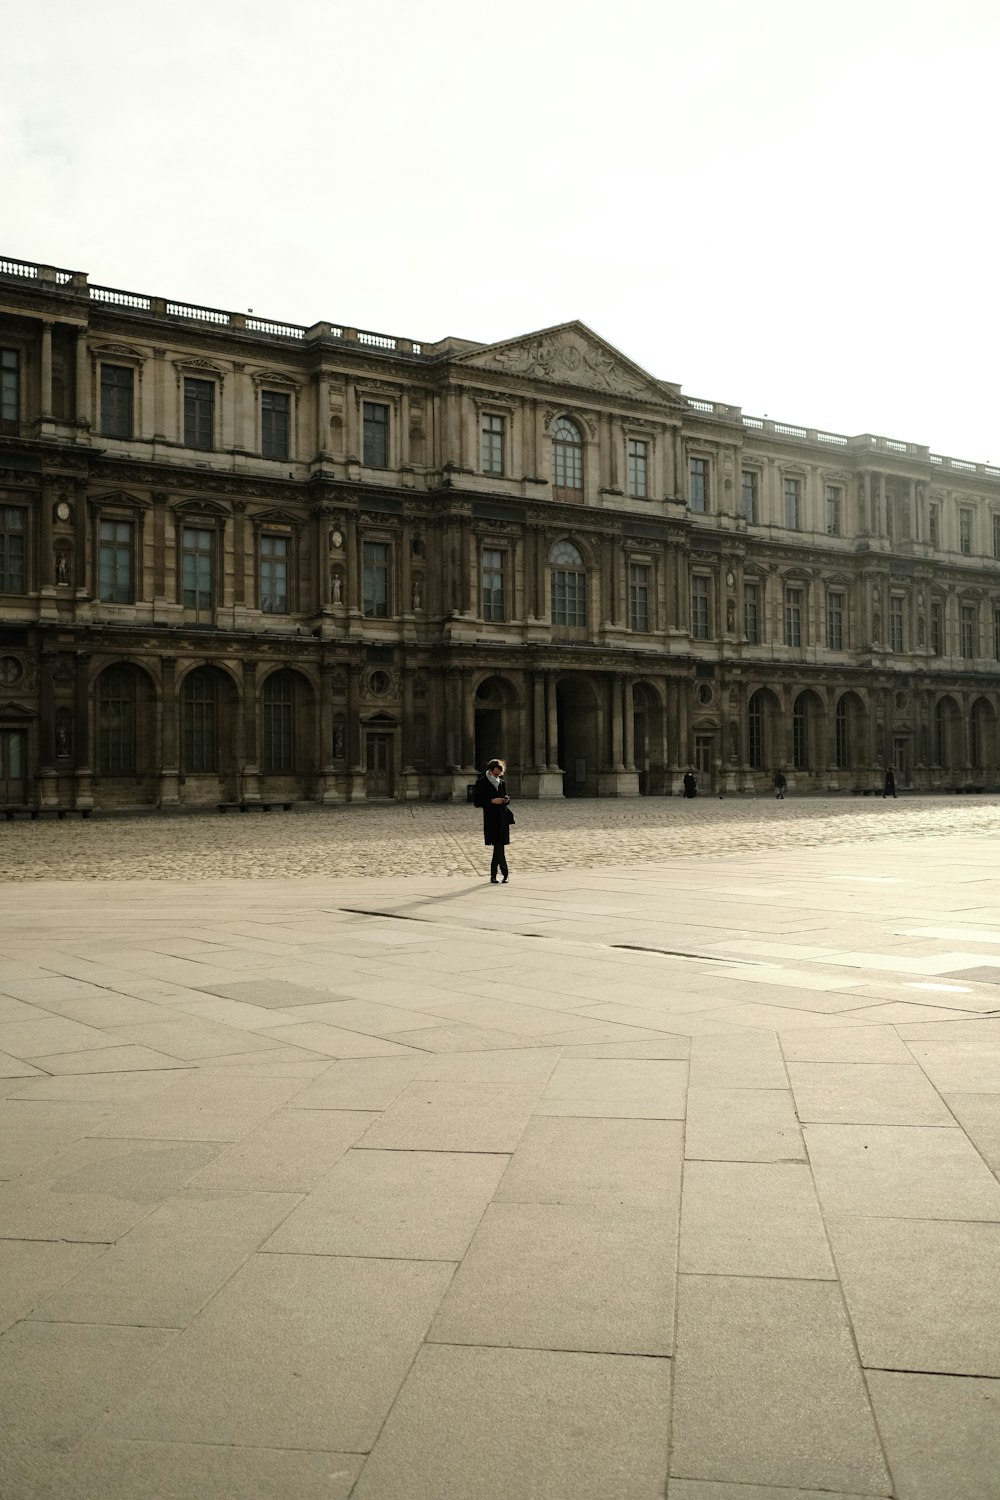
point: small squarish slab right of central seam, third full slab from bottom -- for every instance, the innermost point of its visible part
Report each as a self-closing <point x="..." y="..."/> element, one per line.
<point x="743" y="1126"/>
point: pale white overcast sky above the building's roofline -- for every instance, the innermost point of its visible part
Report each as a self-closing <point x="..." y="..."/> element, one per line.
<point x="788" y="206"/>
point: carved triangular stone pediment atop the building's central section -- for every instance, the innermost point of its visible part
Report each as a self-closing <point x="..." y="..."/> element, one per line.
<point x="572" y="355"/>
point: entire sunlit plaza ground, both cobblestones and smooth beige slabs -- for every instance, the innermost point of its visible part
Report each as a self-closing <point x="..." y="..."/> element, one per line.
<point x="331" y="1172"/>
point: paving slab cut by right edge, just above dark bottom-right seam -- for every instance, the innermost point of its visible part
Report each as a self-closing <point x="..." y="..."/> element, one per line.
<point x="923" y="1295"/>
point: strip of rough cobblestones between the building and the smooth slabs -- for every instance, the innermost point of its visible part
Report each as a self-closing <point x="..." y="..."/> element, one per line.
<point x="446" y="839"/>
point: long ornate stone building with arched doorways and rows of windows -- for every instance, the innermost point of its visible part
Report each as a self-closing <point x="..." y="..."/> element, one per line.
<point x="247" y="562"/>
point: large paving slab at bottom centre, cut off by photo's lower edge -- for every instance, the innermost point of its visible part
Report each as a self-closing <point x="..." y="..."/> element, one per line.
<point x="516" y="1424"/>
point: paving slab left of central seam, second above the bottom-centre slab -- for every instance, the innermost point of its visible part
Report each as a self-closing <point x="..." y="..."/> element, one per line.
<point x="627" y="1162"/>
